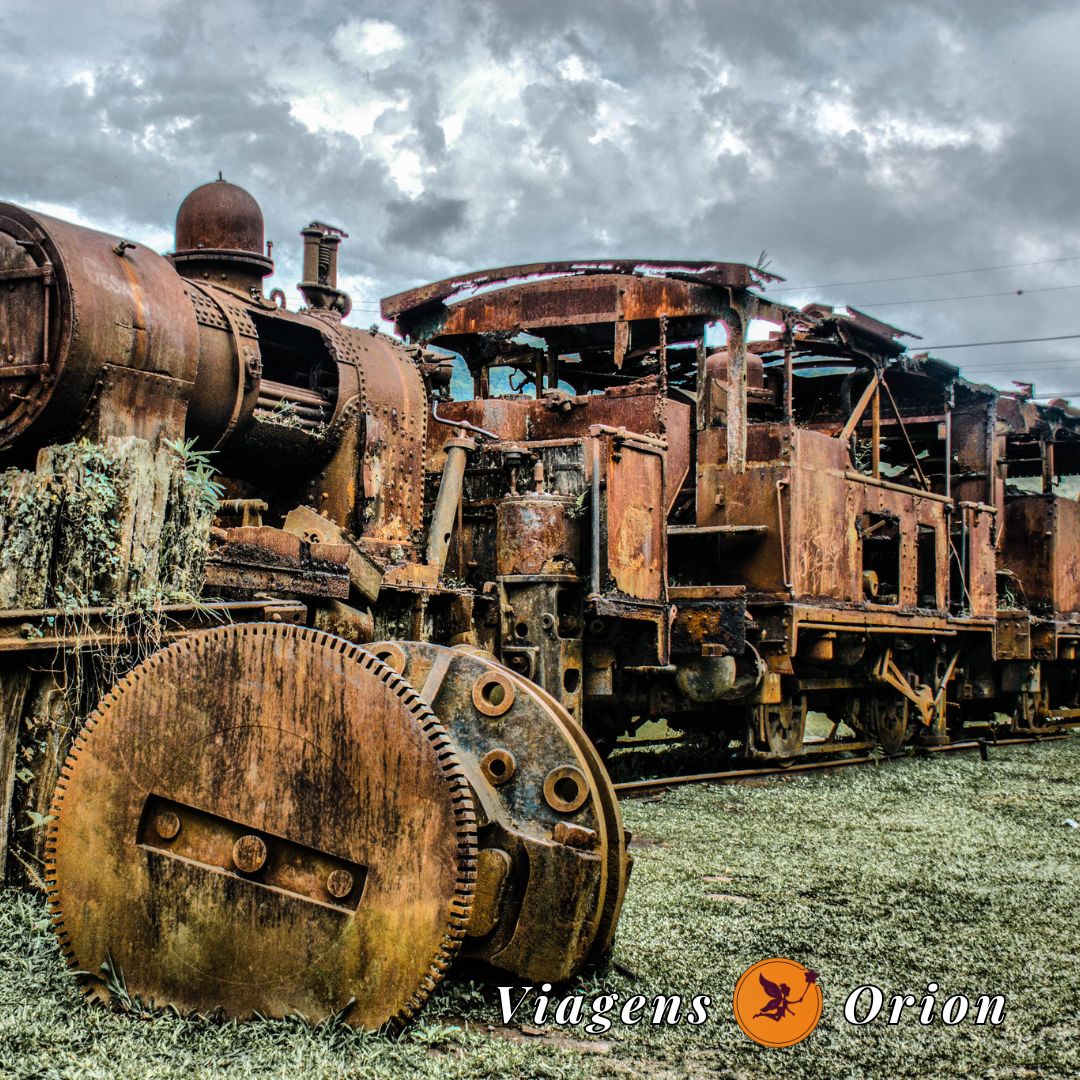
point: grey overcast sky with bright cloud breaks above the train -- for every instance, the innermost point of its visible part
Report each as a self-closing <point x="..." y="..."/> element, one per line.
<point x="849" y="141"/>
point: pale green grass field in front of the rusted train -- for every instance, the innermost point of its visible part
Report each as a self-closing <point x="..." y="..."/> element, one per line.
<point x="946" y="870"/>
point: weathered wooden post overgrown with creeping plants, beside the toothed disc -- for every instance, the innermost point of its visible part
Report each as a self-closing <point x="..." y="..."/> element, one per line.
<point x="103" y="537"/>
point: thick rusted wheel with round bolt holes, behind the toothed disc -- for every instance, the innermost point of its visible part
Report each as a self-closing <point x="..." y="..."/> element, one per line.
<point x="549" y="814"/>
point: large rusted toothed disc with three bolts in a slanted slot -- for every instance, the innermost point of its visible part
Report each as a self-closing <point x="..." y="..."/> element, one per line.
<point x="264" y="819"/>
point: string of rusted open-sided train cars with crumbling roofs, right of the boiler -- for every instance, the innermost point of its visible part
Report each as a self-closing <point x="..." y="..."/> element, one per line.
<point x="730" y="537"/>
